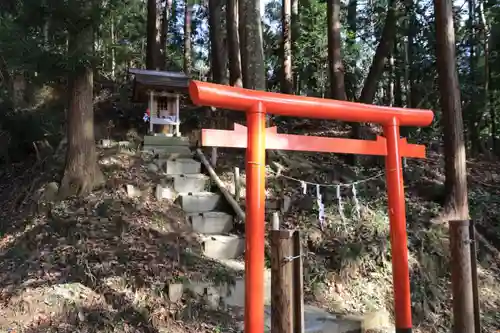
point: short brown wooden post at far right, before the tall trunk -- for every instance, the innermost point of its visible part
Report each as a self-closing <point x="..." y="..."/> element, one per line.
<point x="461" y="277"/>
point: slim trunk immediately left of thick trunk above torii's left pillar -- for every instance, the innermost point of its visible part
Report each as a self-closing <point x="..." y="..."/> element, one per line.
<point x="233" y="43"/>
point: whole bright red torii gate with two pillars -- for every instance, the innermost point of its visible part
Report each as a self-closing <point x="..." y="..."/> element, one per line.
<point x="256" y="138"/>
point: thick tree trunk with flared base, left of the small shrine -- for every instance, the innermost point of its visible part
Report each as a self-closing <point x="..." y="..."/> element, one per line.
<point x="81" y="173"/>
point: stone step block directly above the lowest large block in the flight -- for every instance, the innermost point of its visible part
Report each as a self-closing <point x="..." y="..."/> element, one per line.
<point x="211" y="222"/>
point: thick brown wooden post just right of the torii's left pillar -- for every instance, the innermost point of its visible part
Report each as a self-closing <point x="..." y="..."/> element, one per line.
<point x="281" y="281"/>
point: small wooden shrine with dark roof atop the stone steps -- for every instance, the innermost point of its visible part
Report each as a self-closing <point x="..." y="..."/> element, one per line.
<point x="162" y="91"/>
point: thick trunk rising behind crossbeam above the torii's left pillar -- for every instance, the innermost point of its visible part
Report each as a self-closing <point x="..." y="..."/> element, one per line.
<point x="254" y="50"/>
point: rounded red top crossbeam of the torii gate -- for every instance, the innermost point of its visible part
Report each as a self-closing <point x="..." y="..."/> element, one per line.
<point x="203" y="93"/>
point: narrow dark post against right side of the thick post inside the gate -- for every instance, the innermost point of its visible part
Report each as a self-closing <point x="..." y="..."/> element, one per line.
<point x="298" y="284"/>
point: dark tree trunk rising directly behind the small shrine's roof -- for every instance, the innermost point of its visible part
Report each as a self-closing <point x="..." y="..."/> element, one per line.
<point x="153" y="36"/>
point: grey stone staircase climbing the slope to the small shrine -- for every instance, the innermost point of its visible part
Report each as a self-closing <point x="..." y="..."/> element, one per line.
<point x="207" y="213"/>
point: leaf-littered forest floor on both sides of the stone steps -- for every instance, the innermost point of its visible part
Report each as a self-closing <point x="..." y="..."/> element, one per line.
<point x="102" y="263"/>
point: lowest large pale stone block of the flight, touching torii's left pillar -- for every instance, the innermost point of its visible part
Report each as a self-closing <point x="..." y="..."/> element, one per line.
<point x="223" y="246"/>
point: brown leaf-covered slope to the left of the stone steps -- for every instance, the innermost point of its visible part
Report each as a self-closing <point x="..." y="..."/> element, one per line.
<point x="103" y="263"/>
